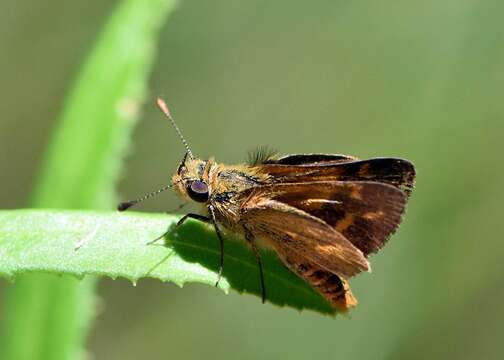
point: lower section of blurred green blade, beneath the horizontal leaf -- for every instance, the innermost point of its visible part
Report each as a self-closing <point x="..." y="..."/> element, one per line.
<point x="47" y="317"/>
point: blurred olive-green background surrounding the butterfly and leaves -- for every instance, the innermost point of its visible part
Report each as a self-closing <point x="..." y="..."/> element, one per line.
<point x="423" y="81"/>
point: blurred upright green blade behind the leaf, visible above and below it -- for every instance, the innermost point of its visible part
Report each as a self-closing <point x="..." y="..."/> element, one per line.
<point x="46" y="317"/>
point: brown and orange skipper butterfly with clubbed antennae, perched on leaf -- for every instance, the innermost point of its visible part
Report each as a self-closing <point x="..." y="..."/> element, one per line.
<point x="322" y="214"/>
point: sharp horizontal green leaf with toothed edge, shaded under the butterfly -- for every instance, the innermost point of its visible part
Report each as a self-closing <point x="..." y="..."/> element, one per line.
<point x="114" y="244"/>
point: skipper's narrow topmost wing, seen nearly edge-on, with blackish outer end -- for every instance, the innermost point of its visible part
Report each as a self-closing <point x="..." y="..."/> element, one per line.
<point x="396" y="172"/>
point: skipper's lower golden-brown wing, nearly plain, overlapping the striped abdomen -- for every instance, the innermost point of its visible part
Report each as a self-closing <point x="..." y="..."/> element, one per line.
<point x="304" y="234"/>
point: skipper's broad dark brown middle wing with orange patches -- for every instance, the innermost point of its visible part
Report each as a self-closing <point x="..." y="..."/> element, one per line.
<point x="366" y="213"/>
